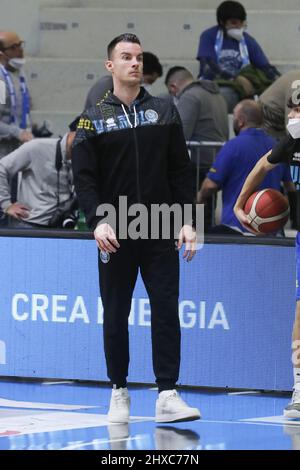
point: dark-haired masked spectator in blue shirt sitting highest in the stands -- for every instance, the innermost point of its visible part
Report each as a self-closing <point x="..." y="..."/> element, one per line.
<point x="230" y="55"/>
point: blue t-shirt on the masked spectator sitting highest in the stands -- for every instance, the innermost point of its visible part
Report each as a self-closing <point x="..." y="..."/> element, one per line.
<point x="230" y="59"/>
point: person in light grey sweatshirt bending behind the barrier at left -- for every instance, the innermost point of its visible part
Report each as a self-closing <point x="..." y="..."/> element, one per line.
<point x="45" y="197"/>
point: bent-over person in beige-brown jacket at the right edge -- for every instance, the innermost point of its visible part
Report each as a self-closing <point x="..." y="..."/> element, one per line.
<point x="274" y="103"/>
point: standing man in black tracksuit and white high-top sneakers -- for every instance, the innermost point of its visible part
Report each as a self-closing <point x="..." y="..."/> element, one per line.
<point x="131" y="144"/>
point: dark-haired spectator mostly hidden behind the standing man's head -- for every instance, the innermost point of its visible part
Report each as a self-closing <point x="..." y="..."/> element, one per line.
<point x="152" y="70"/>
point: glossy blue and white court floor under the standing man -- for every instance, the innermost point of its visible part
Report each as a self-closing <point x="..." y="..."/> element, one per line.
<point x="58" y="416"/>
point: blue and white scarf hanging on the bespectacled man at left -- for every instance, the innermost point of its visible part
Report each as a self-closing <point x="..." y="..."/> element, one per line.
<point x="25" y="120"/>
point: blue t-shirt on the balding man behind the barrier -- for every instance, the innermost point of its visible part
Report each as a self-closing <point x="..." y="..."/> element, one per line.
<point x="234" y="163"/>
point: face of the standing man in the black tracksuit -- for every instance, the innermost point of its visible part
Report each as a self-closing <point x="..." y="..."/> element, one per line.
<point x="126" y="63"/>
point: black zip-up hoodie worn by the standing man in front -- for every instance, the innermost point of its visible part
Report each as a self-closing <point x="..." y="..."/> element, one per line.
<point x="148" y="163"/>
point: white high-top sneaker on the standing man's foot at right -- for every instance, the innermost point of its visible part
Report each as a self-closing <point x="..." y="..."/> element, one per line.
<point x="170" y="408"/>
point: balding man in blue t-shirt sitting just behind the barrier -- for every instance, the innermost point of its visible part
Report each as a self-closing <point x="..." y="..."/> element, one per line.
<point x="236" y="160"/>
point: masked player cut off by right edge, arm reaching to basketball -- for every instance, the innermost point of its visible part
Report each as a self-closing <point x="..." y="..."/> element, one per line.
<point x="286" y="151"/>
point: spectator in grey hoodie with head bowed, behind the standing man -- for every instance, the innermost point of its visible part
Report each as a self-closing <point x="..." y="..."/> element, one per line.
<point x="204" y="116"/>
